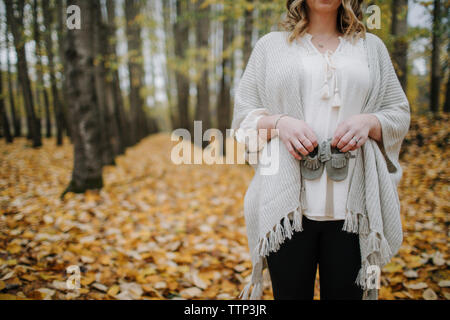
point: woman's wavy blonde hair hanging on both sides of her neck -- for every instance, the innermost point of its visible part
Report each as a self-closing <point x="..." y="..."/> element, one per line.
<point x="349" y="18"/>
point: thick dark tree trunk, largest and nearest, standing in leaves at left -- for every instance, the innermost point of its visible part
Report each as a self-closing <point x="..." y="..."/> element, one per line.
<point x="87" y="169"/>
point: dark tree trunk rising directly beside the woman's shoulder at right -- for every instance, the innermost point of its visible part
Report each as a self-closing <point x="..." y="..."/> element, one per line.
<point x="399" y="29"/>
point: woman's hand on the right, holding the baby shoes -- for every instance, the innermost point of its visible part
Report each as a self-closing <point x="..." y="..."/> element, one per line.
<point x="353" y="132"/>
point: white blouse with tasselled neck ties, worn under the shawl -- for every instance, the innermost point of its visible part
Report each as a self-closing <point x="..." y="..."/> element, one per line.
<point x="335" y="87"/>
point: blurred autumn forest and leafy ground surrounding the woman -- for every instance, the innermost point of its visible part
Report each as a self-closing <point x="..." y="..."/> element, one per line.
<point x="86" y="116"/>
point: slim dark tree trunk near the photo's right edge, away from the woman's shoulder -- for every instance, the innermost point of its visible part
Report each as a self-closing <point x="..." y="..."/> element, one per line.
<point x="435" y="65"/>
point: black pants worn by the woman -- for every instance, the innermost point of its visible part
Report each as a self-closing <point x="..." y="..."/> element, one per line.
<point x="293" y="267"/>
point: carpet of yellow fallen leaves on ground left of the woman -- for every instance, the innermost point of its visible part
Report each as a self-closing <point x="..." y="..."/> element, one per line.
<point x="159" y="226"/>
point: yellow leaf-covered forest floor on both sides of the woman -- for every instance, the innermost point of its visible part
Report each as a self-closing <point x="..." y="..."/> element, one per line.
<point x="162" y="231"/>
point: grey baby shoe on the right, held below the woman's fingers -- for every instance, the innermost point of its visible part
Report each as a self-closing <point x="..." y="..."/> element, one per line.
<point x="337" y="162"/>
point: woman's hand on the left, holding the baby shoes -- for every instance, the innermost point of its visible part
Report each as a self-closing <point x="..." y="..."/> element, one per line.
<point x="297" y="135"/>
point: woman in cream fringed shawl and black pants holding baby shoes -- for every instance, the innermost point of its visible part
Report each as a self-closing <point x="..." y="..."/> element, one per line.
<point x="328" y="92"/>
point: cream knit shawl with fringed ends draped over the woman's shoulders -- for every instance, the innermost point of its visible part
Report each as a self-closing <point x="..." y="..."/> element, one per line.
<point x="273" y="204"/>
